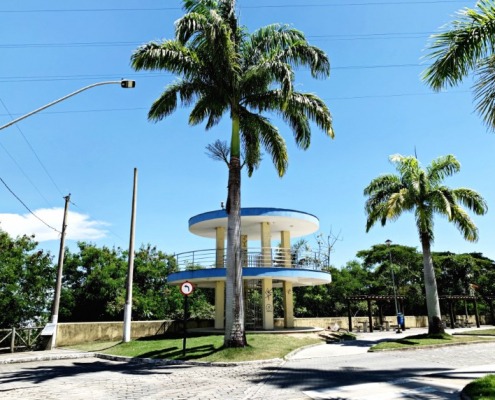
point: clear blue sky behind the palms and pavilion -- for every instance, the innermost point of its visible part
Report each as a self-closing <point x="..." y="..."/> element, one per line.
<point x="89" y="145"/>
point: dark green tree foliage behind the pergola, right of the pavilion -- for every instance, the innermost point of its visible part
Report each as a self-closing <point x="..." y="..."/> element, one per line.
<point x="457" y="274"/>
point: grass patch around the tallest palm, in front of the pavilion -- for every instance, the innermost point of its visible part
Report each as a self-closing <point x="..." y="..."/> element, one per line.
<point x="205" y="348"/>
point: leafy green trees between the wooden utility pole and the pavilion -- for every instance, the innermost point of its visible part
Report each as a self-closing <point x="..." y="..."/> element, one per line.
<point x="94" y="286"/>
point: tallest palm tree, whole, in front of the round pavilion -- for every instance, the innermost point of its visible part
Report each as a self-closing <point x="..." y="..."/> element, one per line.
<point x="224" y="69"/>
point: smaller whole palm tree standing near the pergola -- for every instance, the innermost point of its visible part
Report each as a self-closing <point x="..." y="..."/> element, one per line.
<point x="422" y="192"/>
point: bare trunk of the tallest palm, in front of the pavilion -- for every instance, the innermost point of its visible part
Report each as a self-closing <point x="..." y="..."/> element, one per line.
<point x="235" y="335"/>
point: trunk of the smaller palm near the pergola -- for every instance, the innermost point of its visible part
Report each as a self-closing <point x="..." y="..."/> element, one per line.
<point x="432" y="302"/>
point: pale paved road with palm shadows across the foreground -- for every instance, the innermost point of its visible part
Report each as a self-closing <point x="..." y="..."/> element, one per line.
<point x="330" y="371"/>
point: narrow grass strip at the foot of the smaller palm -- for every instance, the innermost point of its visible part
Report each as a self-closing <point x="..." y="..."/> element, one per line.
<point x="422" y="341"/>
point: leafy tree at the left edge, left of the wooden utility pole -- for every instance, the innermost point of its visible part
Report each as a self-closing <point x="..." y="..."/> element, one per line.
<point x="27" y="279"/>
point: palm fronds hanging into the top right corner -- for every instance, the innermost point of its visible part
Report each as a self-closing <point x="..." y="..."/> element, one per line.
<point x="467" y="45"/>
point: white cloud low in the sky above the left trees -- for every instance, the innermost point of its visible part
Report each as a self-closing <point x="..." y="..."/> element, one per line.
<point x="79" y="226"/>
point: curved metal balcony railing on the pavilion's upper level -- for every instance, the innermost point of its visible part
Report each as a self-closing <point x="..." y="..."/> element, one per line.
<point x="252" y="258"/>
